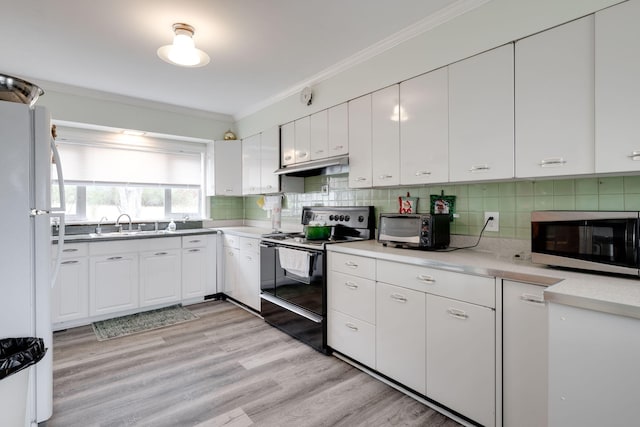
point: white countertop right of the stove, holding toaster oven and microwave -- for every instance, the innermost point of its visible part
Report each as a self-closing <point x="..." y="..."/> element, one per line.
<point x="606" y="293"/>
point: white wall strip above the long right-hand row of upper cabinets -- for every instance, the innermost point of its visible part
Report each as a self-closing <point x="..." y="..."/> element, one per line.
<point x="490" y="25"/>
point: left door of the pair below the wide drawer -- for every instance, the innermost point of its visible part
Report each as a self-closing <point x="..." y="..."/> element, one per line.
<point x="400" y="335"/>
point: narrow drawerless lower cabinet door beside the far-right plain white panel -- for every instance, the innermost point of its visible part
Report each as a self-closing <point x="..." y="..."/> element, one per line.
<point x="524" y="358"/>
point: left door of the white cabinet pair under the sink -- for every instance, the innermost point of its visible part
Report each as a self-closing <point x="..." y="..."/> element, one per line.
<point x="113" y="283"/>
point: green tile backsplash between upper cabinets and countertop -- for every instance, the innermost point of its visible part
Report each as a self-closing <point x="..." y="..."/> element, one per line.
<point x="514" y="200"/>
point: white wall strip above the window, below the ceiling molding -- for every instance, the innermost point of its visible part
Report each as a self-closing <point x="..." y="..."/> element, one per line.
<point x="103" y="109"/>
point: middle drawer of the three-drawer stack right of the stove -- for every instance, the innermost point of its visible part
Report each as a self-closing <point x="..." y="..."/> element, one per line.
<point x="352" y="295"/>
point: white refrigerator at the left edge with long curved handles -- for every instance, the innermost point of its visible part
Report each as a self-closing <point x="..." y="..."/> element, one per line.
<point x="27" y="154"/>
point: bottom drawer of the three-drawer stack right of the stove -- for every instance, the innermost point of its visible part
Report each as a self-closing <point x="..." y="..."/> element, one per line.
<point x="352" y="337"/>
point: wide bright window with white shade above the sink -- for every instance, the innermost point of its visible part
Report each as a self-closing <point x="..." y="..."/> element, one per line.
<point x="154" y="181"/>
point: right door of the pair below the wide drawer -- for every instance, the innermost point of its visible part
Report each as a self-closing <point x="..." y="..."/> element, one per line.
<point x="461" y="357"/>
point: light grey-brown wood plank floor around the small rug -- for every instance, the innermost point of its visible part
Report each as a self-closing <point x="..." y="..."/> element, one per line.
<point x="228" y="368"/>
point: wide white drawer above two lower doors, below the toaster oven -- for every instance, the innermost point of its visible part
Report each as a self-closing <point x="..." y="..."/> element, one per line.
<point x="463" y="287"/>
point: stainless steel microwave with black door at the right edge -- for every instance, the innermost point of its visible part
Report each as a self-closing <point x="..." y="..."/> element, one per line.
<point x="589" y="240"/>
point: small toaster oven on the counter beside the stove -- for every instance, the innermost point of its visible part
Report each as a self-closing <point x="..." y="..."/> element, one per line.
<point x="422" y="231"/>
